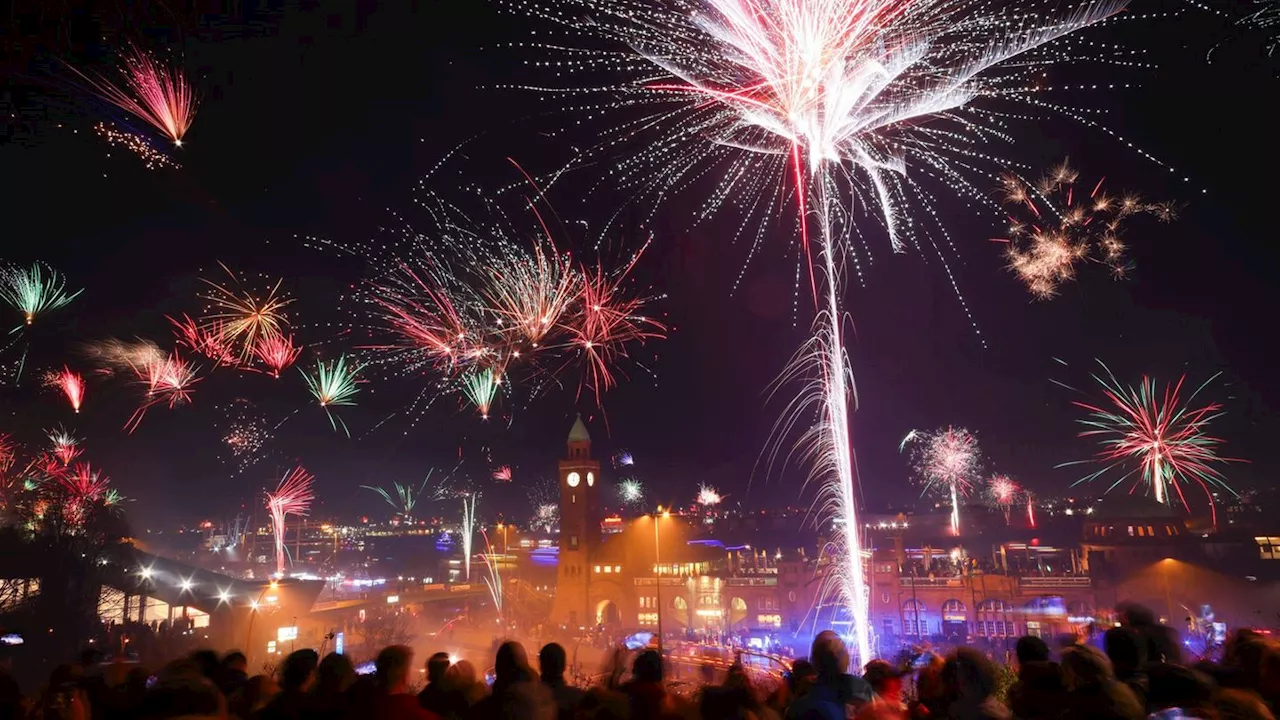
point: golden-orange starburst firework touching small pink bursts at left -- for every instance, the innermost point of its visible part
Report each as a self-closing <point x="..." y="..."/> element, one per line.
<point x="245" y="317"/>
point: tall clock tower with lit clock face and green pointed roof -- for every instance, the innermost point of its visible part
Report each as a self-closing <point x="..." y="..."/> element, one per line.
<point x="580" y="530"/>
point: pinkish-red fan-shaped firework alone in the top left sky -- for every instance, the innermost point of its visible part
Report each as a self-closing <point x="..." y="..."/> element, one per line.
<point x="157" y="94"/>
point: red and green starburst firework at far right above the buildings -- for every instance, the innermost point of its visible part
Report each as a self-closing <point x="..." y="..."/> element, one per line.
<point x="1155" y="439"/>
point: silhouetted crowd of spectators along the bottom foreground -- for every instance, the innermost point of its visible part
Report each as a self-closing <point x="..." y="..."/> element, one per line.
<point x="1139" y="675"/>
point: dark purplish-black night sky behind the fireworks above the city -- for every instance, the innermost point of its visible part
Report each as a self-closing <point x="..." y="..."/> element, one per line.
<point x="322" y="122"/>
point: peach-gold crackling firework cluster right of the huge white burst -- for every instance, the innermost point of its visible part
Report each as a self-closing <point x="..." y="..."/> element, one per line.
<point x="1064" y="227"/>
